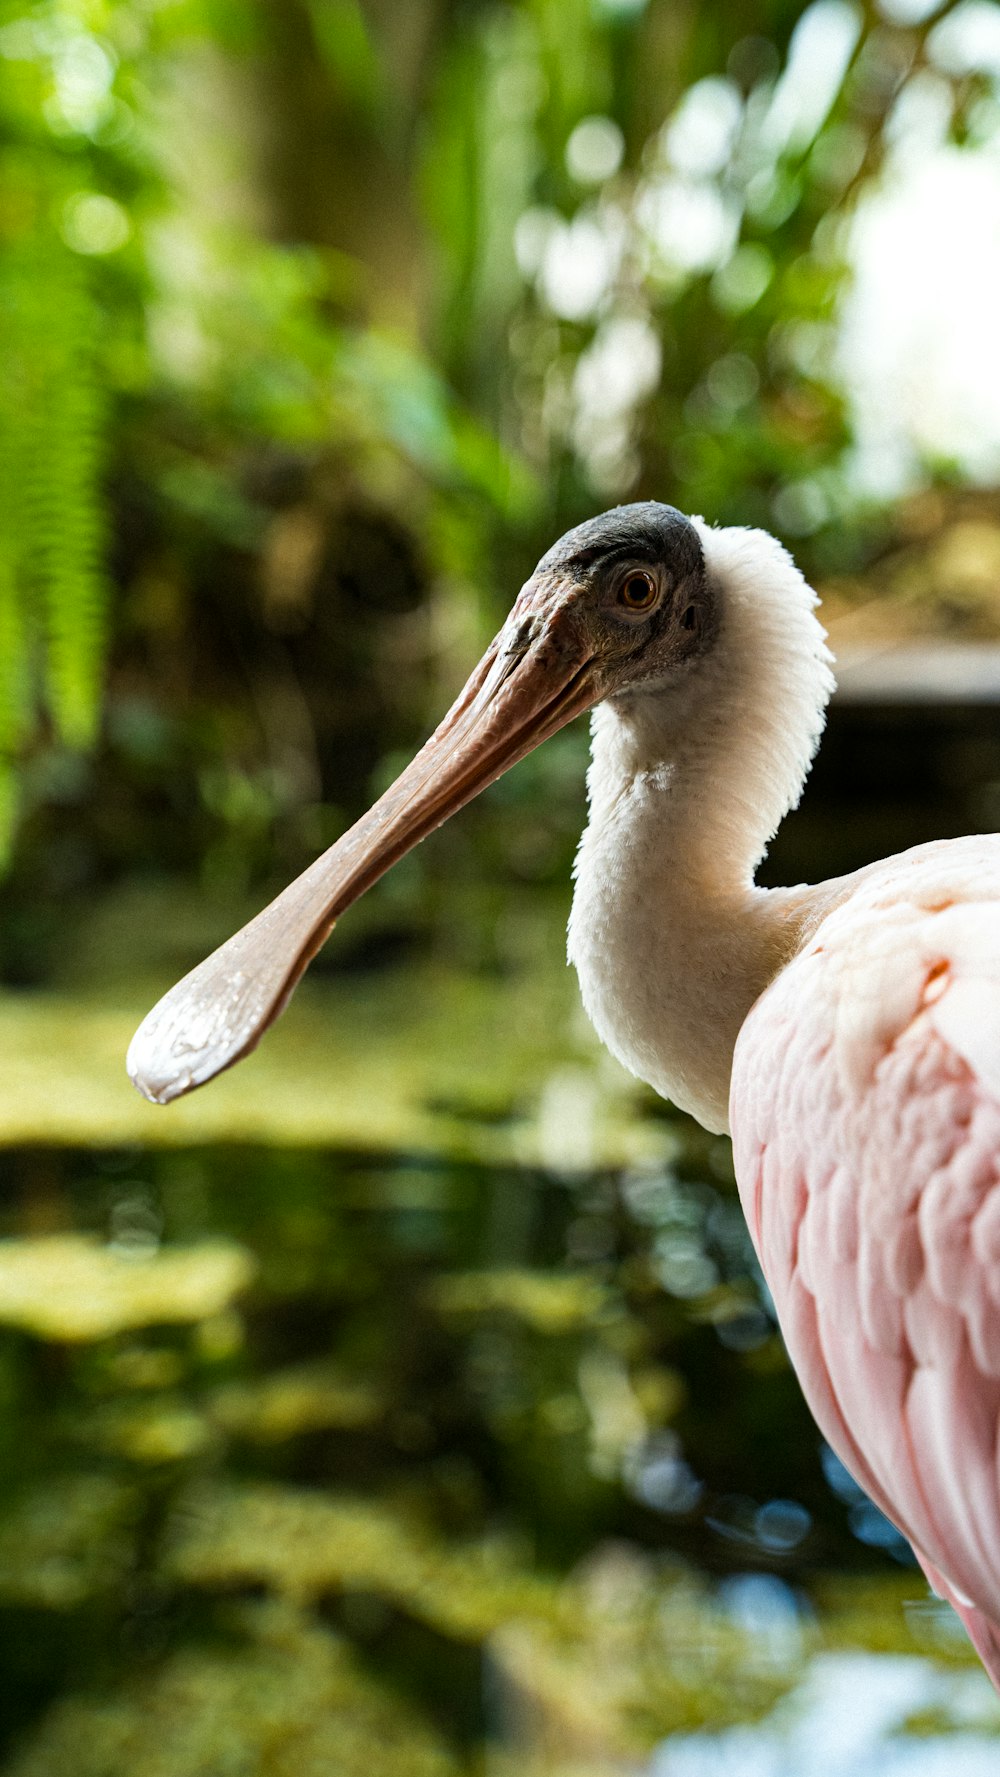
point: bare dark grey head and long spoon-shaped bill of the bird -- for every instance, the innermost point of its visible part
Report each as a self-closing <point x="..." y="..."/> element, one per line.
<point x="619" y="605"/>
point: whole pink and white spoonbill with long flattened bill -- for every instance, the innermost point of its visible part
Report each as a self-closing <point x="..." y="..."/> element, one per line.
<point x="846" y="1033"/>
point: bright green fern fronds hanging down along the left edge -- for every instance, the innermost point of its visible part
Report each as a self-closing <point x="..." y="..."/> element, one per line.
<point x="54" y="411"/>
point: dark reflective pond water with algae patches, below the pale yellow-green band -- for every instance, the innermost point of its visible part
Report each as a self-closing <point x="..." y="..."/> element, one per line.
<point x="321" y="1463"/>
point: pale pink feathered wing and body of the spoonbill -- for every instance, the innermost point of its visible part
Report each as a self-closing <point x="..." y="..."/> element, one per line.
<point x="866" y="1113"/>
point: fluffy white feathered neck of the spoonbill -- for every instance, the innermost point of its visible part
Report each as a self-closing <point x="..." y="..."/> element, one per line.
<point x="688" y="783"/>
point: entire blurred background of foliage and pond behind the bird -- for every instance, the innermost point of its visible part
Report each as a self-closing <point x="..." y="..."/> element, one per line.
<point x="409" y="1403"/>
